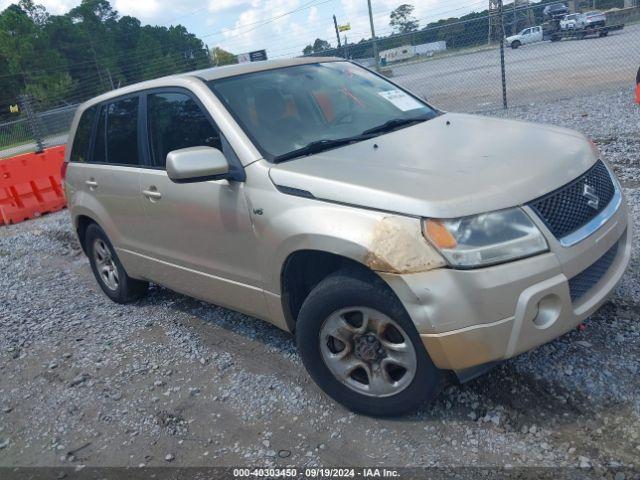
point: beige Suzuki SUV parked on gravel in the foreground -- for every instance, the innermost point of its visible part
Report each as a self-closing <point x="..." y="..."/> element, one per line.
<point x="394" y="240"/>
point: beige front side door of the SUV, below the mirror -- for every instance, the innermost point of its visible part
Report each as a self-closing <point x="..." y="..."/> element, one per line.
<point x="200" y="239"/>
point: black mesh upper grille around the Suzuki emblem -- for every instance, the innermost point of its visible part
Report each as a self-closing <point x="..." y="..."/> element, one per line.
<point x="567" y="209"/>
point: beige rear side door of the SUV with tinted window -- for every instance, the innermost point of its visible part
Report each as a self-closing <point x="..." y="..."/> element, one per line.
<point x="106" y="179"/>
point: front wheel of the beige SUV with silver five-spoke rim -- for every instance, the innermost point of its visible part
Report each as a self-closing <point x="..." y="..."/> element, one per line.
<point x="341" y="296"/>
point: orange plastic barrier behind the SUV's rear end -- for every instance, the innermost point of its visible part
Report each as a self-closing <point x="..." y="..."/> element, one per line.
<point x="30" y="185"/>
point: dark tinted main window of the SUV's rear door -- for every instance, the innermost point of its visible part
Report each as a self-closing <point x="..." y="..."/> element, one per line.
<point x="122" y="132"/>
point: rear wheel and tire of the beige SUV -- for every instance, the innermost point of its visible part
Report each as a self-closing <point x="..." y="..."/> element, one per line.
<point x="108" y="270"/>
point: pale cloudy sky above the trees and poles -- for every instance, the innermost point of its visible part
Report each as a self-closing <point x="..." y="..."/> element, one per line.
<point x="282" y="27"/>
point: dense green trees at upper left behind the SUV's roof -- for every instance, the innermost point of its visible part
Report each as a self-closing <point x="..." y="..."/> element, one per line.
<point x="91" y="49"/>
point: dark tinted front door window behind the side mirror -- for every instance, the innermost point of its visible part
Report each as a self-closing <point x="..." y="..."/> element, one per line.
<point x="176" y="121"/>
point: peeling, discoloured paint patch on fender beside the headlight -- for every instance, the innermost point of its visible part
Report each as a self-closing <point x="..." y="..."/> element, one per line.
<point x="397" y="246"/>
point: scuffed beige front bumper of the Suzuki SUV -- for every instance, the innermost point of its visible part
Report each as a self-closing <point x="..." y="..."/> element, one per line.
<point x="469" y="318"/>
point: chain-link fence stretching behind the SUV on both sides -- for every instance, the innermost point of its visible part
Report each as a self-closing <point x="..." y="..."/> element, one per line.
<point x="514" y="54"/>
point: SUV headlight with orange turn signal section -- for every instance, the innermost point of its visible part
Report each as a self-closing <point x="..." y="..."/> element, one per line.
<point x="485" y="239"/>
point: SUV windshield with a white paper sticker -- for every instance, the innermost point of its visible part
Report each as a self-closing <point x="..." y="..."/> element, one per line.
<point x="288" y="109"/>
